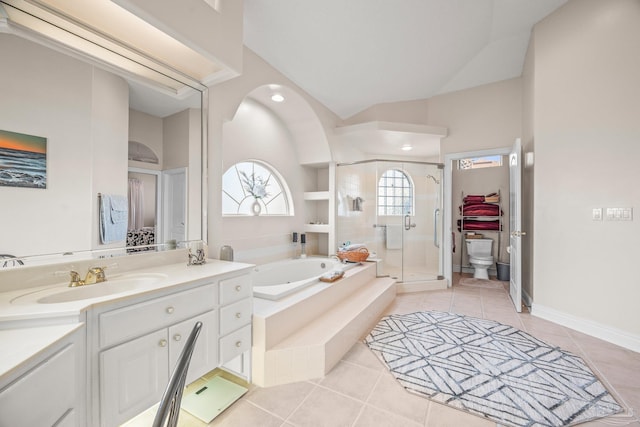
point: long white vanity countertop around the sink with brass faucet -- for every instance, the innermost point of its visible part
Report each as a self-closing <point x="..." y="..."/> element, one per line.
<point x="23" y="322"/>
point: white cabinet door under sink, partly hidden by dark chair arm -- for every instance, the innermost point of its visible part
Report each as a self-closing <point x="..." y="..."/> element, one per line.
<point x="205" y="354"/>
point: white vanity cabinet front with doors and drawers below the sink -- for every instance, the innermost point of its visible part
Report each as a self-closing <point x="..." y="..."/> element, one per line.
<point x="138" y="343"/>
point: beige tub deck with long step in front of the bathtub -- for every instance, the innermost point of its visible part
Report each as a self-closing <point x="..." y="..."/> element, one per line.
<point x="304" y="335"/>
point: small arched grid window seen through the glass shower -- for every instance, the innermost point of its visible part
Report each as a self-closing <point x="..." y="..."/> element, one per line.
<point x="395" y="193"/>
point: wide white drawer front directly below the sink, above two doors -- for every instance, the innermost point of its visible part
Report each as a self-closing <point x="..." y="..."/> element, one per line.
<point x="130" y="322"/>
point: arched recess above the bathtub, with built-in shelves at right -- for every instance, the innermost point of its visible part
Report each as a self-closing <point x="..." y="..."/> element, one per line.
<point x="290" y="137"/>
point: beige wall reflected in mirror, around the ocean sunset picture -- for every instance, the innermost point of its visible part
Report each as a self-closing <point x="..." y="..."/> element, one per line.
<point x="82" y="111"/>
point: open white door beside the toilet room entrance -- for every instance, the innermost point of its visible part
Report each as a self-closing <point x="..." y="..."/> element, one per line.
<point x="515" y="224"/>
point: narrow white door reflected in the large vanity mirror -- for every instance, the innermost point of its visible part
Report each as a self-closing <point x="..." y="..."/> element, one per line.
<point x="174" y="189"/>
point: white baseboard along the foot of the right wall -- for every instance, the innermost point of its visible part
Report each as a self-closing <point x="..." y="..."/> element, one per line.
<point x="589" y="327"/>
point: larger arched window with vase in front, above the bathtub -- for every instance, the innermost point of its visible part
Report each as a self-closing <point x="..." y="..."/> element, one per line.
<point x="254" y="188"/>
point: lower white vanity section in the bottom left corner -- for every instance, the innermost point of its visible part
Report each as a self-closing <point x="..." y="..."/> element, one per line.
<point x="51" y="391"/>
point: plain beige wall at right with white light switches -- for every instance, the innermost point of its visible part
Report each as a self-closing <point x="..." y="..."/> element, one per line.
<point x="586" y="128"/>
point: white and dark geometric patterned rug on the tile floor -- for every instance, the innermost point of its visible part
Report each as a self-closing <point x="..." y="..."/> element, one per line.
<point x="490" y="369"/>
